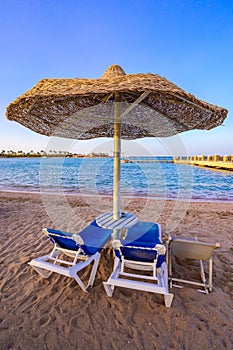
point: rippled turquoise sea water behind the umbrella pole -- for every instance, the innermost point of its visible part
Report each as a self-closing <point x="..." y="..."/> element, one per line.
<point x="94" y="176"/>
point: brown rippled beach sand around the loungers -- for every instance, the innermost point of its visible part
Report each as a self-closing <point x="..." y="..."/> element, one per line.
<point x="56" y="314"/>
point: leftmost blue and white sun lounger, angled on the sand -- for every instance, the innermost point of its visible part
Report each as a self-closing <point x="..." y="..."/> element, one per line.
<point x="73" y="253"/>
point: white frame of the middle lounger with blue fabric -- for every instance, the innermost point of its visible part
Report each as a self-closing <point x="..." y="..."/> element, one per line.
<point x="157" y="282"/>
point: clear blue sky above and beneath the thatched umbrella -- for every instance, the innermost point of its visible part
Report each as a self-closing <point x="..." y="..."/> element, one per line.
<point x="188" y="42"/>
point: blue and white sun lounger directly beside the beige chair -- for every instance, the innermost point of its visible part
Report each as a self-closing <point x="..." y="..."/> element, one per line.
<point x="141" y="250"/>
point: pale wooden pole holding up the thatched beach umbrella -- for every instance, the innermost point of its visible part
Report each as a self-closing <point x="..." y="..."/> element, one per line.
<point x="117" y="157"/>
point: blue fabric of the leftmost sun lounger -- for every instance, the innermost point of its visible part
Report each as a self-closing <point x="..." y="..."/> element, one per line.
<point x="93" y="236"/>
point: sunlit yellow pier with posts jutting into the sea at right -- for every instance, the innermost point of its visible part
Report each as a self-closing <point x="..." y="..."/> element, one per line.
<point x="215" y="161"/>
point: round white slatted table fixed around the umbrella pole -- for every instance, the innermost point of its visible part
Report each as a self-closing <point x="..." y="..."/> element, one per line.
<point x="126" y="220"/>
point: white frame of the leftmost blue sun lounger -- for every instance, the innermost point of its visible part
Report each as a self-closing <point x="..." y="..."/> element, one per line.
<point x="47" y="264"/>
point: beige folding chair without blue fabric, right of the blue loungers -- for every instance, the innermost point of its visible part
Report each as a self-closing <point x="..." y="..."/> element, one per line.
<point x="195" y="250"/>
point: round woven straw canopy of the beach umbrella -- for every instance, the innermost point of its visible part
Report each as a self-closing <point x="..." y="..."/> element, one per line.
<point x="84" y="108"/>
